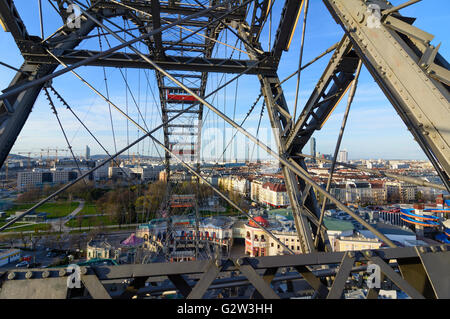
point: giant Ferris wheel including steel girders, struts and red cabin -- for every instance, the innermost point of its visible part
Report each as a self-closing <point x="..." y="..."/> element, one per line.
<point x="409" y="70"/>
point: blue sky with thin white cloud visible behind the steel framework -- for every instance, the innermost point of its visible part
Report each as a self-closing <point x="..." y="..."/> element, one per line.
<point x="373" y="130"/>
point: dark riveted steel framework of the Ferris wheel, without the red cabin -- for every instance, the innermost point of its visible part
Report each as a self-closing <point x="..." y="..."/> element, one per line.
<point x="399" y="56"/>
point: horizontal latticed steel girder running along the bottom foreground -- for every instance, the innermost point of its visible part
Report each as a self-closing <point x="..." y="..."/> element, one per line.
<point x="199" y="279"/>
